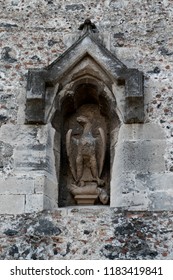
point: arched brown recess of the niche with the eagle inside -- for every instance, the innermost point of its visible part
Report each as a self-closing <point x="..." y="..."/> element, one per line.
<point x="88" y="115"/>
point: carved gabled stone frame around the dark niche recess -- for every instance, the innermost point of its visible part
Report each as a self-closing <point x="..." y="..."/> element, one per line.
<point x="87" y="61"/>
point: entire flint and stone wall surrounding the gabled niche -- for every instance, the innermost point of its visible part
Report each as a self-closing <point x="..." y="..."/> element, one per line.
<point x="32" y="36"/>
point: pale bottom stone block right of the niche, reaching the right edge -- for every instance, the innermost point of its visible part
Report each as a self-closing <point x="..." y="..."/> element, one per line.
<point x="143" y="191"/>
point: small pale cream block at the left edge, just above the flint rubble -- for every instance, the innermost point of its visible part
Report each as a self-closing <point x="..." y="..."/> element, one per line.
<point x="12" y="204"/>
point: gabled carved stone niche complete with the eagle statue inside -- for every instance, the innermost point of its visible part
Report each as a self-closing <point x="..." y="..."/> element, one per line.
<point x="86" y="94"/>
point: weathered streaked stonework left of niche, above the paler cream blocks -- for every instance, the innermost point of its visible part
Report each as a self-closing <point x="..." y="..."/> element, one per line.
<point x="34" y="152"/>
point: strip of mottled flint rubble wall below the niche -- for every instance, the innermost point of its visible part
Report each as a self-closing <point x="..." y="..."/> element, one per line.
<point x="87" y="233"/>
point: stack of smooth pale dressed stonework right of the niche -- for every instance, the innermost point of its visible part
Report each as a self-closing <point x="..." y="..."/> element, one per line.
<point x="139" y="169"/>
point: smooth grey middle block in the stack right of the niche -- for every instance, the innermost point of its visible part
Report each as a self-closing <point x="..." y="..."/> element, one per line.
<point x="140" y="156"/>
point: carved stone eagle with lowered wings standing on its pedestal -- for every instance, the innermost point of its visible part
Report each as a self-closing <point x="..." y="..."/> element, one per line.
<point x="86" y="157"/>
